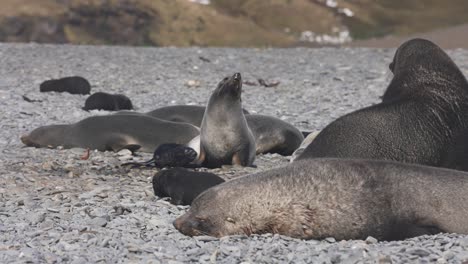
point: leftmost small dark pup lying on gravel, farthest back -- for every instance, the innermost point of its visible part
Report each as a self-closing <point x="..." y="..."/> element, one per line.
<point x="73" y="85"/>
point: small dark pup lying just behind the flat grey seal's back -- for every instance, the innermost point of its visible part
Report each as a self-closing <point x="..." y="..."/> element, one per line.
<point x="109" y="102"/>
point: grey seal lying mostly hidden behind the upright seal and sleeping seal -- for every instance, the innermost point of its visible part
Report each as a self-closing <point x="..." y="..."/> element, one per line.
<point x="192" y="114"/>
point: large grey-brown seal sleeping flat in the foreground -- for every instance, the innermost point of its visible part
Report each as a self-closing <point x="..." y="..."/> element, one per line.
<point x="340" y="198"/>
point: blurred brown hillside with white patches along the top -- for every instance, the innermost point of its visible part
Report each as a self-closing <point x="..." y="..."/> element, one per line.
<point x="238" y="23"/>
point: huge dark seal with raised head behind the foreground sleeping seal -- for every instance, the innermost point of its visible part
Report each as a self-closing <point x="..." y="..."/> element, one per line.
<point x="423" y="110"/>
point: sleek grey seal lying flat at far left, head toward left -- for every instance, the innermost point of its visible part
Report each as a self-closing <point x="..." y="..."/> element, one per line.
<point x="113" y="132"/>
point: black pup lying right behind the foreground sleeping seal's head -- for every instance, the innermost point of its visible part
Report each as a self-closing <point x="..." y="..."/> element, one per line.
<point x="182" y="185"/>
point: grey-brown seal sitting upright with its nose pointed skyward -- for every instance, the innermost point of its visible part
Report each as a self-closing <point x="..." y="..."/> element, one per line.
<point x="225" y="137"/>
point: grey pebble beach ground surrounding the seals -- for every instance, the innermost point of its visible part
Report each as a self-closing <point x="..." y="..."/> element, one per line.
<point x="55" y="207"/>
